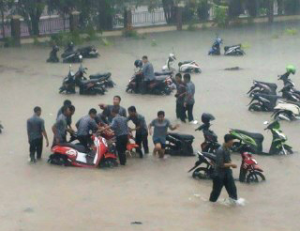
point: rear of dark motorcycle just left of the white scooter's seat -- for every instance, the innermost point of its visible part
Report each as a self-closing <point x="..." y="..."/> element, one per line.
<point x="263" y="102"/>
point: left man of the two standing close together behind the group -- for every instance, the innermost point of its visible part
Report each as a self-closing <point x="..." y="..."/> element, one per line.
<point x="180" y="98"/>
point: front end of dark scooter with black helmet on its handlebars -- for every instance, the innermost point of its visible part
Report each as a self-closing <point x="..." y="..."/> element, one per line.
<point x="210" y="143"/>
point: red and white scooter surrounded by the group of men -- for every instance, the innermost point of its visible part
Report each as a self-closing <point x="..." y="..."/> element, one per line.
<point x="76" y="155"/>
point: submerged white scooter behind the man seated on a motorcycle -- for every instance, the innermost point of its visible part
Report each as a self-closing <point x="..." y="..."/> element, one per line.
<point x="185" y="67"/>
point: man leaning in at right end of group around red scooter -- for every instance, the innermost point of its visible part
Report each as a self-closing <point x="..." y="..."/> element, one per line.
<point x="141" y="131"/>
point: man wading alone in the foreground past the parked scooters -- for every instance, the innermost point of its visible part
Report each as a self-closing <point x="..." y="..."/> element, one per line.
<point x="222" y="171"/>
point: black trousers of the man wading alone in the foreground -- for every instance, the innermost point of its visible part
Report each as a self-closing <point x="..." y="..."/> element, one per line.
<point x="218" y="183"/>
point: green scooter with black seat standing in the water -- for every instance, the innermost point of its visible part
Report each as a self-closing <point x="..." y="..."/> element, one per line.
<point x="255" y="140"/>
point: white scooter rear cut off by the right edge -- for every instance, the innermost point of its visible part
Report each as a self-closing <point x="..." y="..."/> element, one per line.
<point x="287" y="111"/>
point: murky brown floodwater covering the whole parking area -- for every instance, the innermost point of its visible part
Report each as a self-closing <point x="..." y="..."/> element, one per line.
<point x="158" y="193"/>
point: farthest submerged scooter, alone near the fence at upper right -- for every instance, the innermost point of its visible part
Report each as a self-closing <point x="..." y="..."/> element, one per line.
<point x="235" y="50"/>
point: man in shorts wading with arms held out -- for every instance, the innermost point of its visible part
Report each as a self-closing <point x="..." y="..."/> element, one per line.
<point x="161" y="126"/>
